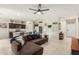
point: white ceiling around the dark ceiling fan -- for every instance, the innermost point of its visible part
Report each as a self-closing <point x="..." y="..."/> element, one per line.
<point x="21" y="11"/>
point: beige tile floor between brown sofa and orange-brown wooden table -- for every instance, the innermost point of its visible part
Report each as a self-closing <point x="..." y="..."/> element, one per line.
<point x="57" y="47"/>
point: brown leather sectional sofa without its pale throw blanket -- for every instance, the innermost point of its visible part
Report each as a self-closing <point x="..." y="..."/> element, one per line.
<point x="31" y="46"/>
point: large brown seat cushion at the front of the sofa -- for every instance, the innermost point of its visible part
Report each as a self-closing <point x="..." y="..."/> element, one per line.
<point x="31" y="48"/>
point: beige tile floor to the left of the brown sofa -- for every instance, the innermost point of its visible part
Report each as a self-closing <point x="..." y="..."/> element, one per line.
<point x="5" y="47"/>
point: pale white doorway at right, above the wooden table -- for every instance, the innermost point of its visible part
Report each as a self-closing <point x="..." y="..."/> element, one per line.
<point x="71" y="28"/>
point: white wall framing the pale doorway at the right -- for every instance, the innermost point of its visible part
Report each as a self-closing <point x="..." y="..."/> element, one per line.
<point x="64" y="26"/>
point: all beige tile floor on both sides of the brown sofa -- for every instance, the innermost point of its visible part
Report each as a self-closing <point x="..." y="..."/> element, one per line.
<point x="53" y="47"/>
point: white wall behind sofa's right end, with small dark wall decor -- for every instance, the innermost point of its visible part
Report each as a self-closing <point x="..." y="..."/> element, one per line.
<point x="53" y="31"/>
